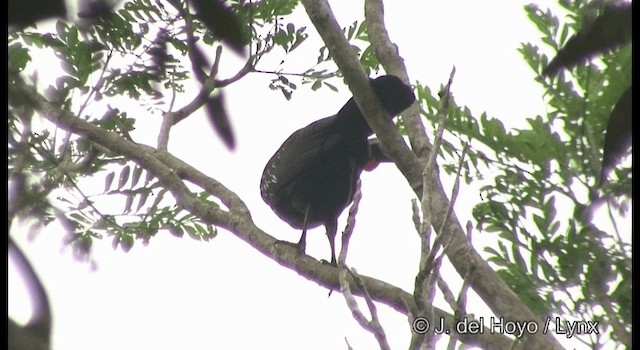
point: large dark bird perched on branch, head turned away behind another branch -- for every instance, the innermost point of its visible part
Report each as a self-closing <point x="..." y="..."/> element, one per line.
<point x="312" y="177"/>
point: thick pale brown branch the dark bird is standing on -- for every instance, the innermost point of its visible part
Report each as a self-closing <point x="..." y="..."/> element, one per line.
<point x="172" y="172"/>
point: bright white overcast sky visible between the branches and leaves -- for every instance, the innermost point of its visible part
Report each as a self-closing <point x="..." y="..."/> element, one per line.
<point x="182" y="294"/>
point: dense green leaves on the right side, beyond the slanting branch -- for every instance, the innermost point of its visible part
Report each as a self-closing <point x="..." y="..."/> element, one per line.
<point x="543" y="196"/>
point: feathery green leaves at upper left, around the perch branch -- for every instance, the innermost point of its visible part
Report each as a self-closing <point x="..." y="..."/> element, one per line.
<point x="115" y="59"/>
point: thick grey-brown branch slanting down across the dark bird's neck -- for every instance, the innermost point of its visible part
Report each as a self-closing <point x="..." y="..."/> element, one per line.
<point x="491" y="288"/>
